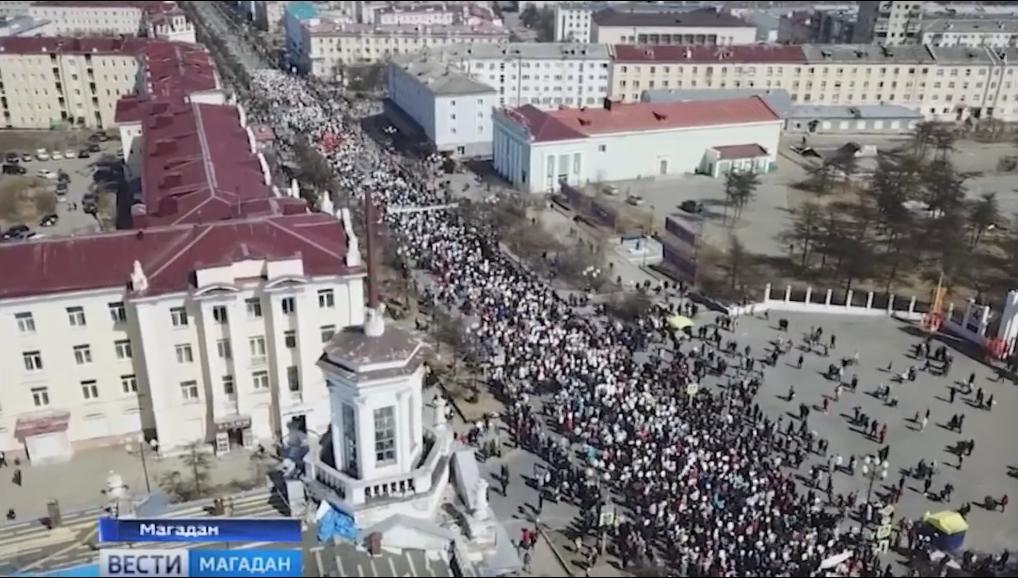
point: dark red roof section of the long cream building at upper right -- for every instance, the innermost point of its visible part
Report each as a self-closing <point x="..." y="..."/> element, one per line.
<point x="707" y="54"/>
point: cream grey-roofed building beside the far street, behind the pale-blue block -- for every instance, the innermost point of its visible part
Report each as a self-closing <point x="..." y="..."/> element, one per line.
<point x="326" y="47"/>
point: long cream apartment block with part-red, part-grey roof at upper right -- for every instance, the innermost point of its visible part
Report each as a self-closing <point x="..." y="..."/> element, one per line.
<point x="943" y="84"/>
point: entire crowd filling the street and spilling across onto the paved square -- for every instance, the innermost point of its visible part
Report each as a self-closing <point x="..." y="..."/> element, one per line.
<point x="704" y="481"/>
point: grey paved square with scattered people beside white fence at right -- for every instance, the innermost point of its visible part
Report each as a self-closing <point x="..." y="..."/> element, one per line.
<point x="880" y="341"/>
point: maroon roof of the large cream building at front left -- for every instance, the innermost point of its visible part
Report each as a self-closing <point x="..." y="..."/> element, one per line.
<point x="169" y="256"/>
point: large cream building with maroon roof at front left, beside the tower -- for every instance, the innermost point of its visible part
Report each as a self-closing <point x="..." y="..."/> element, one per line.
<point x="196" y="333"/>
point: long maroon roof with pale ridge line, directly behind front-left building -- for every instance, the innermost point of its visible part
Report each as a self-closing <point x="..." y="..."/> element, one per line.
<point x="198" y="165"/>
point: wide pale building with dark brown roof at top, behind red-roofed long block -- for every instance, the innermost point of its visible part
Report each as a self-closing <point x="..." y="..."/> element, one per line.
<point x="705" y="26"/>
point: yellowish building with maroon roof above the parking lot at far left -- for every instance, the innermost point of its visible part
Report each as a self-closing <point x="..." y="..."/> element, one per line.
<point x="48" y="82"/>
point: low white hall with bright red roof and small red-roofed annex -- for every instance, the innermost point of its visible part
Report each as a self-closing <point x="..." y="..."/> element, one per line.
<point x="538" y="150"/>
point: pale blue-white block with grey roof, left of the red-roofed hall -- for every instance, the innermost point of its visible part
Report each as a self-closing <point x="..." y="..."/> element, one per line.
<point x="450" y="108"/>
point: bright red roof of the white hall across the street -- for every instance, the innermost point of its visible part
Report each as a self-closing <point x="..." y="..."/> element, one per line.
<point x="567" y="125"/>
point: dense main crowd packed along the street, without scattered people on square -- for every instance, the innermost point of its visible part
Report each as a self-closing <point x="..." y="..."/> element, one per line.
<point x="705" y="478"/>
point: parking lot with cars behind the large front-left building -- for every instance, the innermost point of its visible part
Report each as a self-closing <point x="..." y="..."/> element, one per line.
<point x="82" y="178"/>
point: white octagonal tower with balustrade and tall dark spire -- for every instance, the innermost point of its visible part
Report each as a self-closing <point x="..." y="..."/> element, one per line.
<point x="380" y="458"/>
